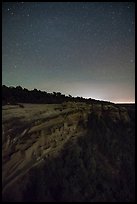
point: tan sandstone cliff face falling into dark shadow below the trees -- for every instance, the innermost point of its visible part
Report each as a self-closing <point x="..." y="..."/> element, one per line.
<point x="70" y="152"/>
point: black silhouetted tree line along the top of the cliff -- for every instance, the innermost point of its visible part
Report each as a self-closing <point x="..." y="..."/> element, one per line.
<point x="14" y="95"/>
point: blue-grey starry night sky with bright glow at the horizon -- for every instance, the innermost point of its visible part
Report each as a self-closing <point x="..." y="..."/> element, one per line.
<point x="79" y="48"/>
